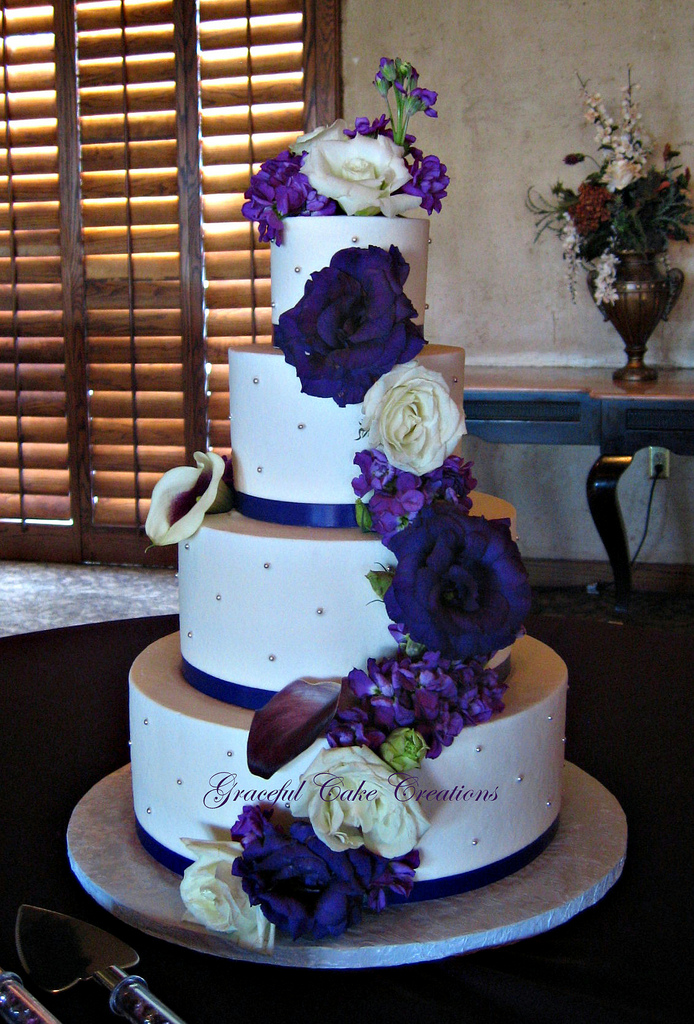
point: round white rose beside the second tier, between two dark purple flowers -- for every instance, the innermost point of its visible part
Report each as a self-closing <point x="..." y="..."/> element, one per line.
<point x="410" y="416"/>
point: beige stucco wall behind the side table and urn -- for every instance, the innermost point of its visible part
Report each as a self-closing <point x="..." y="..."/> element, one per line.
<point x="510" y="109"/>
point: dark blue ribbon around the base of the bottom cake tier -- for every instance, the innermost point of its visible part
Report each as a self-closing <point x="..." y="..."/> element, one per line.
<point x="427" y="889"/>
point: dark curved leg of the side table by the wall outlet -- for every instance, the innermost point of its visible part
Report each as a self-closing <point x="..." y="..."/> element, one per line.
<point x="602" y="499"/>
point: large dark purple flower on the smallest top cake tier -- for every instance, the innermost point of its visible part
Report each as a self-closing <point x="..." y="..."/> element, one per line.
<point x="353" y="326"/>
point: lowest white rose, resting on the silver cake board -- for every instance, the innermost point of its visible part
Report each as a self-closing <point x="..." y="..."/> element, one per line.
<point x="214" y="897"/>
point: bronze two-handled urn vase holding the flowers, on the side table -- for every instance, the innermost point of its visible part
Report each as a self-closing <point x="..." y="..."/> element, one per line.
<point x="646" y="293"/>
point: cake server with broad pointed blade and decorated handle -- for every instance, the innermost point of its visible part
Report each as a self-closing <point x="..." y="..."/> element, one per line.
<point x="58" y="952"/>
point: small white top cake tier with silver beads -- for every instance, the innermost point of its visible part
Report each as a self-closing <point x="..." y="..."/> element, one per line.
<point x="311" y="243"/>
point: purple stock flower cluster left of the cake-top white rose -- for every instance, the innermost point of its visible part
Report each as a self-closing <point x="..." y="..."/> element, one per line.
<point x="280" y="190"/>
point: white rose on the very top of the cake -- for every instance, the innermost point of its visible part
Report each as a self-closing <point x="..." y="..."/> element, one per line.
<point x="361" y="174"/>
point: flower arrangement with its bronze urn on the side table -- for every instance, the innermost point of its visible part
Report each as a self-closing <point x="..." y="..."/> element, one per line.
<point x="619" y="224"/>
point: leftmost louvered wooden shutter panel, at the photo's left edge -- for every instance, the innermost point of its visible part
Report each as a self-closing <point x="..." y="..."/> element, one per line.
<point x="35" y="486"/>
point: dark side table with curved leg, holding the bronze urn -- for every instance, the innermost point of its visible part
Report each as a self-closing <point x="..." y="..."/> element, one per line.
<point x="576" y="406"/>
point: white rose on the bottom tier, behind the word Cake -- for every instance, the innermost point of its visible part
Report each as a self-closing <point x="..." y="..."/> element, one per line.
<point x="351" y="803"/>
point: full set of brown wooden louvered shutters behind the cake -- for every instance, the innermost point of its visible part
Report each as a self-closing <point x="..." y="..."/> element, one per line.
<point x="127" y="270"/>
